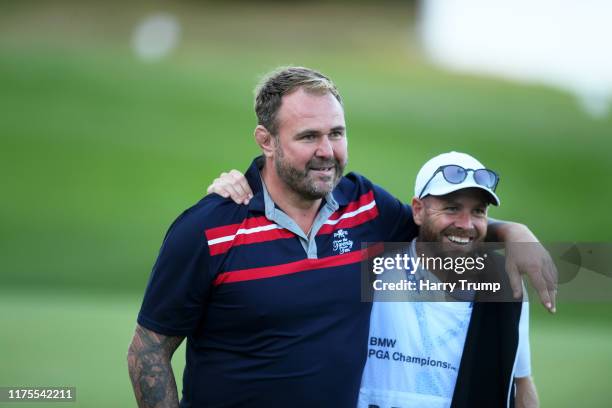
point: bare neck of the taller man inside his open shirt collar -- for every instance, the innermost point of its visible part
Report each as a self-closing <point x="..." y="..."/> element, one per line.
<point x="302" y="211"/>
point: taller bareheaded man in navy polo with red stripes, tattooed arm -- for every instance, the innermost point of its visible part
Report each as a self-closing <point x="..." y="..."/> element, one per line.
<point x="268" y="294"/>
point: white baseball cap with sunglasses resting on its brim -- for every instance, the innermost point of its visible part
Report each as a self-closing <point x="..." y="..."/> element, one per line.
<point x="431" y="181"/>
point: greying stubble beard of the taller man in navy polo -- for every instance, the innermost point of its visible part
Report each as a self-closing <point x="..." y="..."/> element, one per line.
<point x="302" y="182"/>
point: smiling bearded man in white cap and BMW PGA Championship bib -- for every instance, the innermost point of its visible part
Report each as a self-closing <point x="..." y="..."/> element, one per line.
<point x="425" y="353"/>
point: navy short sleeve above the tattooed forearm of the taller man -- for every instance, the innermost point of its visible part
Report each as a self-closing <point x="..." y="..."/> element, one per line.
<point x="178" y="285"/>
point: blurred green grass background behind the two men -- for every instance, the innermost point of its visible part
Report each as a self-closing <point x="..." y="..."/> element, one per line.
<point x="100" y="150"/>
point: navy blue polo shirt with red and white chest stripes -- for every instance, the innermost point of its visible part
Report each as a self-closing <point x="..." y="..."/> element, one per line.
<point x="271" y="321"/>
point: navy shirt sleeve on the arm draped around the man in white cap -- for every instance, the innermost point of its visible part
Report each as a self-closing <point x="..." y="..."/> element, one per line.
<point x="395" y="217"/>
